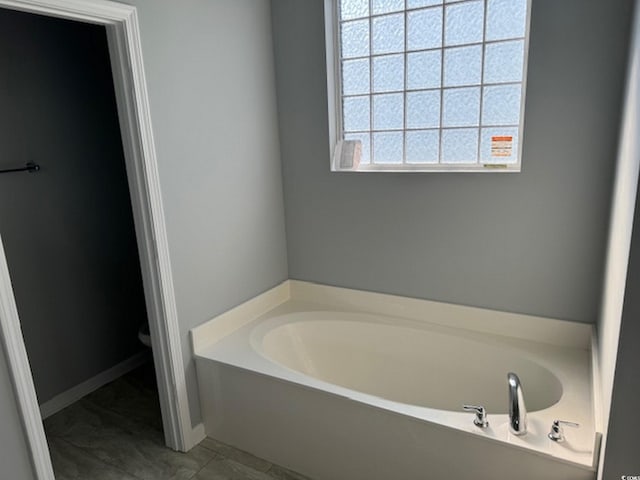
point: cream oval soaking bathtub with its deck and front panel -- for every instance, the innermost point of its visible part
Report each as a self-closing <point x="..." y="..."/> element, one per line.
<point x="335" y="390"/>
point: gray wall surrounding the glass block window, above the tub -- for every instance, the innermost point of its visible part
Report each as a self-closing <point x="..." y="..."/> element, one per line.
<point x="531" y="242"/>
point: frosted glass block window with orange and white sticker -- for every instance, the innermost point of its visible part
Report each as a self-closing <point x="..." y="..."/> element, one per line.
<point x="431" y="84"/>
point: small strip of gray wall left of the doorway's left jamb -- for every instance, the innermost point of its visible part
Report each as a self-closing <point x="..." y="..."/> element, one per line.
<point x="15" y="462"/>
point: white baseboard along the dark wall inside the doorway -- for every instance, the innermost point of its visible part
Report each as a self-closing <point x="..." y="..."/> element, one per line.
<point x="74" y="394"/>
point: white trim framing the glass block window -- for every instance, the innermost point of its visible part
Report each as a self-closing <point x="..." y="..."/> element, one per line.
<point x="334" y="87"/>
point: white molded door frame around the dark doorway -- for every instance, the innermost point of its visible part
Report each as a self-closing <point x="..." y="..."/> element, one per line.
<point x="121" y="23"/>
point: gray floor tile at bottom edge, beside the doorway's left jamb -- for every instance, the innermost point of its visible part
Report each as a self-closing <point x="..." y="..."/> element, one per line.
<point x="73" y="463"/>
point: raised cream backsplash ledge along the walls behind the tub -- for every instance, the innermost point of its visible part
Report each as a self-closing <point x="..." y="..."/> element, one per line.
<point x="527" y="327"/>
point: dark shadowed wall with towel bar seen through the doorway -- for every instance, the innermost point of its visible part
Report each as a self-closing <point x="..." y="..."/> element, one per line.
<point x="67" y="230"/>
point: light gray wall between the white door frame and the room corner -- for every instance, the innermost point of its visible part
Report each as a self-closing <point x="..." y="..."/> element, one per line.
<point x="209" y="69"/>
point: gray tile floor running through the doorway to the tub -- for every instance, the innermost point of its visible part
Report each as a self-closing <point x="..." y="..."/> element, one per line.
<point x="115" y="433"/>
